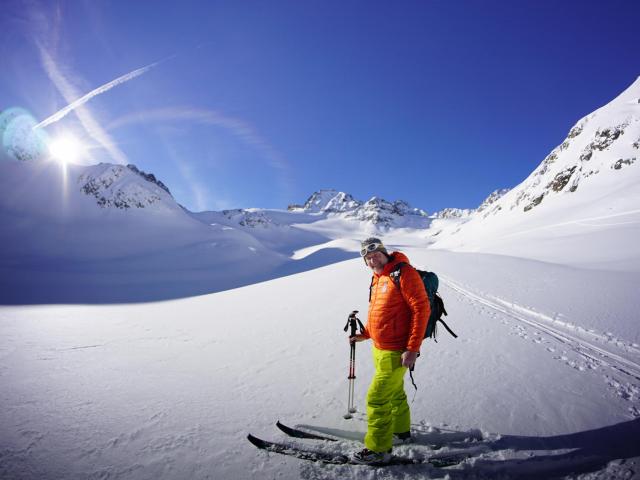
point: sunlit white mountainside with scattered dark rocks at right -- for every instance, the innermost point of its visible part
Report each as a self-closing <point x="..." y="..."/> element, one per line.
<point x="580" y="206"/>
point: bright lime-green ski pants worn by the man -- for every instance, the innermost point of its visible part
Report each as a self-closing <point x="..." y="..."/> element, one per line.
<point x="387" y="407"/>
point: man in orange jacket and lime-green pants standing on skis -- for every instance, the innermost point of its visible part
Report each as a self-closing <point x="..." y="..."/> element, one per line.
<point x="396" y="323"/>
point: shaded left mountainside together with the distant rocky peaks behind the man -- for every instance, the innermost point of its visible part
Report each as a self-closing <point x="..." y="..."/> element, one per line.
<point x="105" y="233"/>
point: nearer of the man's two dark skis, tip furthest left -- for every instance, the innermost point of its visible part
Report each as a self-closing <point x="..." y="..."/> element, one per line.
<point x="303" y="453"/>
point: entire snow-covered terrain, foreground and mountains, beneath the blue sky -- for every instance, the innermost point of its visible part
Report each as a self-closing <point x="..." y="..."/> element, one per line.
<point x="547" y="366"/>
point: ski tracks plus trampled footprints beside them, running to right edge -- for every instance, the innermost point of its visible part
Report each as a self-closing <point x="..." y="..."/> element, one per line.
<point x="596" y="350"/>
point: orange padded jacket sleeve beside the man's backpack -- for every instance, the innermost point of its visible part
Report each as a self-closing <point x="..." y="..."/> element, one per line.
<point x="416" y="297"/>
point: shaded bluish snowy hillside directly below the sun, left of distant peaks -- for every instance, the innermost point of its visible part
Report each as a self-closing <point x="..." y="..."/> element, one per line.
<point x="107" y="233"/>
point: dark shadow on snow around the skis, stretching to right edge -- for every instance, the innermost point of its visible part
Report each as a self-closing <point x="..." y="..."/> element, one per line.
<point x="513" y="456"/>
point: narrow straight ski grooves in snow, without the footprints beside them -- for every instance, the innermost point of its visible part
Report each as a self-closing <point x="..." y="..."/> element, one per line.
<point x="580" y="346"/>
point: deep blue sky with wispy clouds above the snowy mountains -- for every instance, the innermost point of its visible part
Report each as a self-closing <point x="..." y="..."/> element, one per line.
<point x="260" y="103"/>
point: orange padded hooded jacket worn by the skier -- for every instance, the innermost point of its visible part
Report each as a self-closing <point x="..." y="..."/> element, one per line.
<point x="397" y="318"/>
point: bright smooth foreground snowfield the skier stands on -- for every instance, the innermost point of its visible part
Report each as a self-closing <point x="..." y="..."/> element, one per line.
<point x="547" y="371"/>
